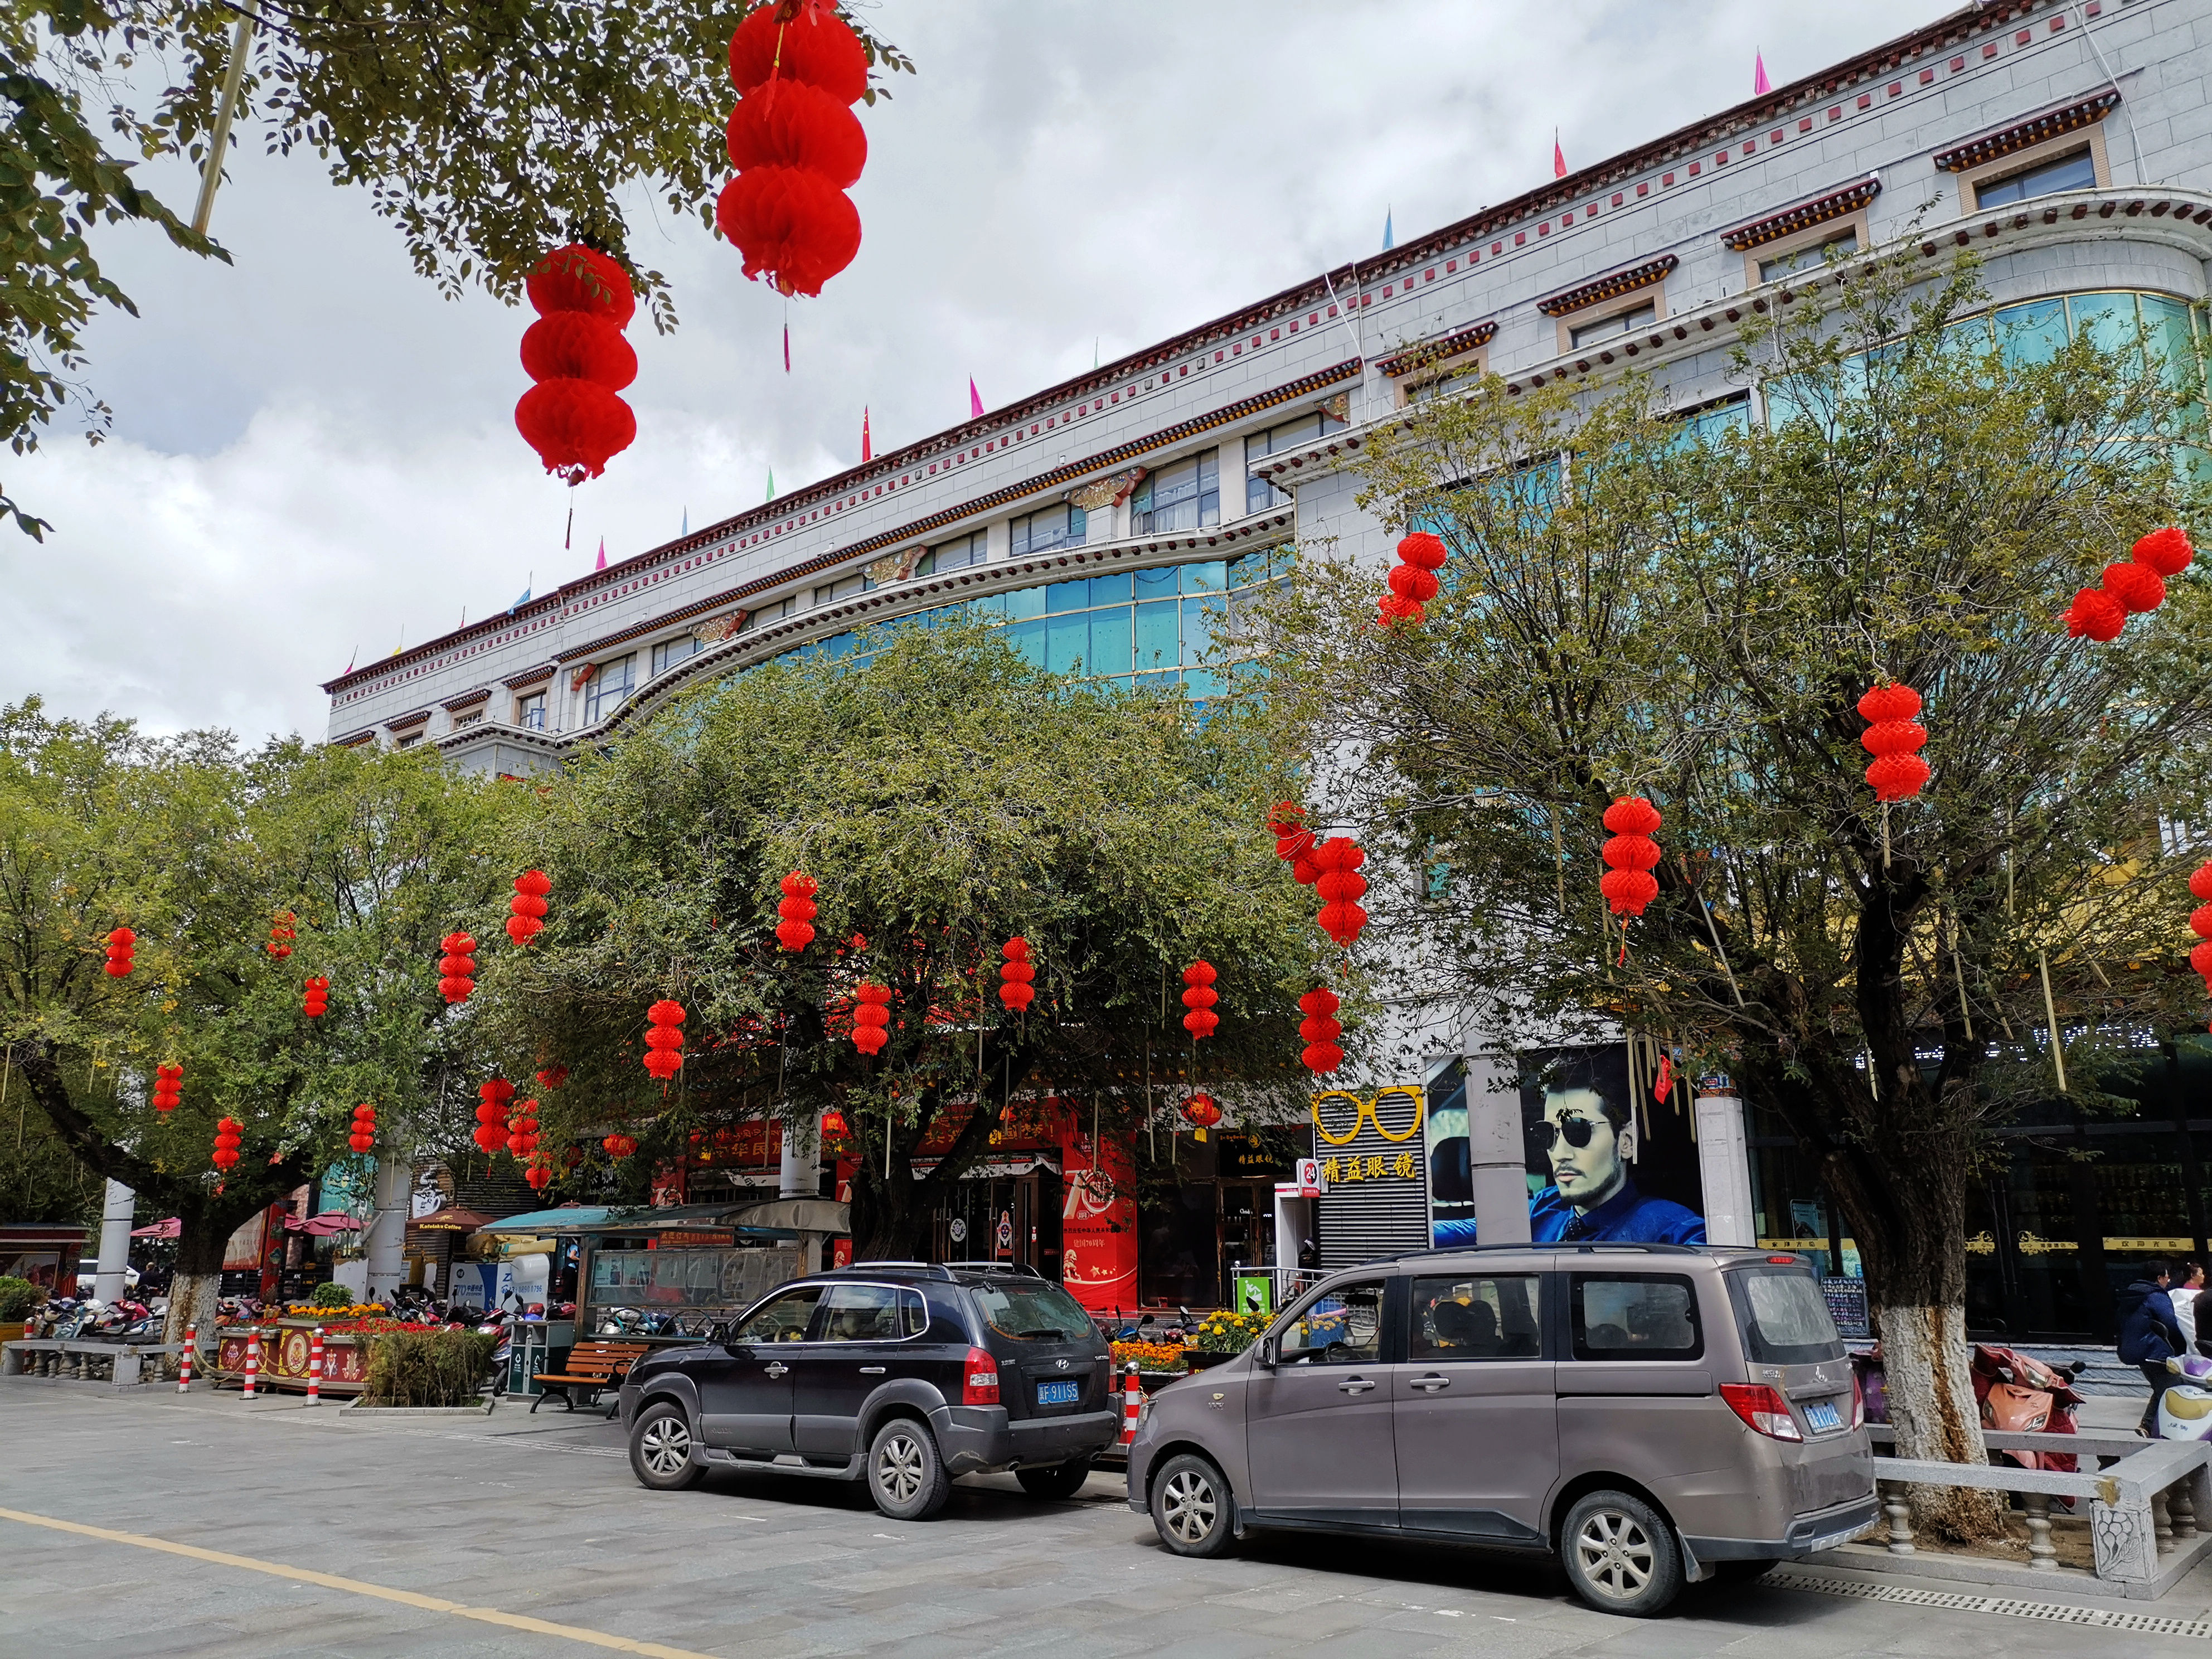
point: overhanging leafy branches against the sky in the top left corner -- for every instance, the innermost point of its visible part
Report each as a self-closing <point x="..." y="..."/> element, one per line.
<point x="486" y="134"/>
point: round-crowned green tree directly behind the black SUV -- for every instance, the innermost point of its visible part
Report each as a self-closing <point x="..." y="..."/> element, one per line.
<point x="946" y="797"/>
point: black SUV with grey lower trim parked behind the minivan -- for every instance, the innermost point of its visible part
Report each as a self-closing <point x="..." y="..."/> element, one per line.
<point x="895" y="1373"/>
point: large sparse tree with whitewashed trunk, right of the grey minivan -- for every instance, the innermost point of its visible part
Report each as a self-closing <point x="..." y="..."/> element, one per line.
<point x="1691" y="612"/>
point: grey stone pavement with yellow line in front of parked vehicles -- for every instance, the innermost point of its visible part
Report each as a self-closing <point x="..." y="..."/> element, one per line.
<point x="275" y="1530"/>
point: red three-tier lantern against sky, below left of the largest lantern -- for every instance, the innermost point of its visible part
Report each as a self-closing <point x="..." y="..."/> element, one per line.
<point x="581" y="362"/>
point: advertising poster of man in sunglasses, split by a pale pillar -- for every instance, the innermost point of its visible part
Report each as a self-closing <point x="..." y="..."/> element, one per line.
<point x="1607" y="1158"/>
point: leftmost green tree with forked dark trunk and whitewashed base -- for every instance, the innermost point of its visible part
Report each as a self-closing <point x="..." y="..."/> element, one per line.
<point x="198" y="848"/>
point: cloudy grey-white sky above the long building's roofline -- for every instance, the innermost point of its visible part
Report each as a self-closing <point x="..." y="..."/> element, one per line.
<point x="315" y="457"/>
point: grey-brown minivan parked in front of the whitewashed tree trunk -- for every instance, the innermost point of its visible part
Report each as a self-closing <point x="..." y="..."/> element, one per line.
<point x="1649" y="1415"/>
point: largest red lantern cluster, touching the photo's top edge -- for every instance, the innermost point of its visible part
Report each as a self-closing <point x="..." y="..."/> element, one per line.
<point x="795" y="143"/>
